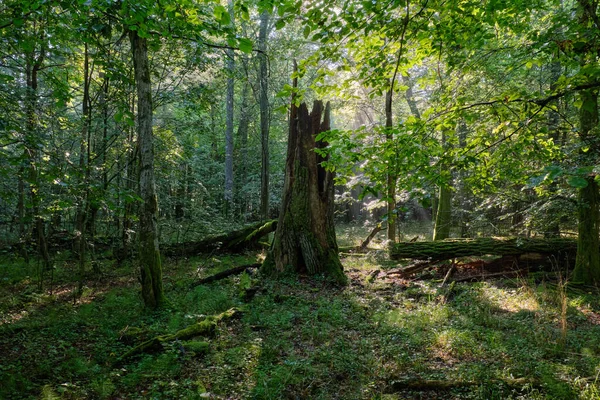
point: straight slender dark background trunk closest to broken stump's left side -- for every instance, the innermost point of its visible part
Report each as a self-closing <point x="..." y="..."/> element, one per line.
<point x="264" y="116"/>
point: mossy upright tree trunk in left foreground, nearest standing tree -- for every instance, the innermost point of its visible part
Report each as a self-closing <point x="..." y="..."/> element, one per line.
<point x="150" y="263"/>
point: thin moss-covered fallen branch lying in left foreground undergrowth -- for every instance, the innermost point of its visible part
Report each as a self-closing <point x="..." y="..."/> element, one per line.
<point x="206" y="327"/>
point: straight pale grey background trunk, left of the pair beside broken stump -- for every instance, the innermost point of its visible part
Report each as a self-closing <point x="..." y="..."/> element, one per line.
<point x="230" y="67"/>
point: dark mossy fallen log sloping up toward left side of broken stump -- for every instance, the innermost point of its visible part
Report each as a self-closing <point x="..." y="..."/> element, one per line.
<point x="235" y="241"/>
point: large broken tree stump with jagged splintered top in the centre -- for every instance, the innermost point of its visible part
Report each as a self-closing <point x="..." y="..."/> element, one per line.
<point x="305" y="239"/>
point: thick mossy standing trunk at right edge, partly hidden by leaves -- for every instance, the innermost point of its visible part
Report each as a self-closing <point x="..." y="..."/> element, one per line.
<point x="587" y="264"/>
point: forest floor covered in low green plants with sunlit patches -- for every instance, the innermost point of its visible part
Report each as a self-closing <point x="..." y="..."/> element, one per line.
<point x="297" y="338"/>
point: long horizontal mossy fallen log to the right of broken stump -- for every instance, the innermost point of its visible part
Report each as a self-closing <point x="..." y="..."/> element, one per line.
<point x="452" y="248"/>
